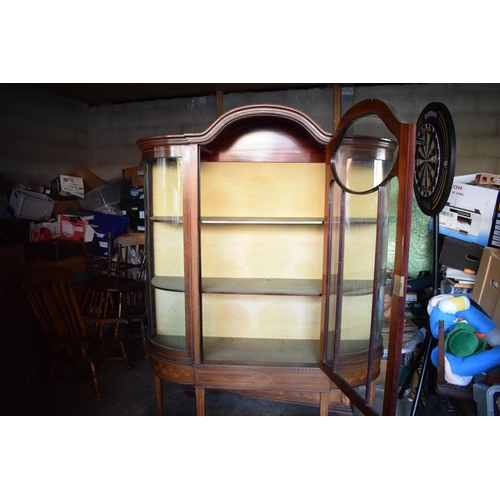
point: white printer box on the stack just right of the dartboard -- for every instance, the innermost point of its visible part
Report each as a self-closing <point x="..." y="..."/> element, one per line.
<point x="471" y="212"/>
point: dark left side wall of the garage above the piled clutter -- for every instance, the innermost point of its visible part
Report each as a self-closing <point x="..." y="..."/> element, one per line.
<point x="41" y="135"/>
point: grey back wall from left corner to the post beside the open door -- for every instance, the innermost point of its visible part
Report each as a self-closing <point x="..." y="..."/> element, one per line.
<point x="114" y="130"/>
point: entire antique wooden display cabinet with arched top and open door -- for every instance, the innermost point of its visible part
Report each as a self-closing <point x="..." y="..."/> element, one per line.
<point x="269" y="244"/>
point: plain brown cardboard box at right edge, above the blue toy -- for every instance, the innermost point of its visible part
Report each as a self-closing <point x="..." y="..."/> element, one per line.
<point x="487" y="287"/>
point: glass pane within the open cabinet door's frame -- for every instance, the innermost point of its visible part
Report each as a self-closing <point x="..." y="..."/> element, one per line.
<point x="362" y="213"/>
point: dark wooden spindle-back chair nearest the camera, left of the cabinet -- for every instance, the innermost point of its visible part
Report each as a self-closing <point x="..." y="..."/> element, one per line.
<point x="73" y="338"/>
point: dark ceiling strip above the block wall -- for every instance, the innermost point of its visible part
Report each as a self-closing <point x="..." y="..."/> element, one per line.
<point x="95" y="94"/>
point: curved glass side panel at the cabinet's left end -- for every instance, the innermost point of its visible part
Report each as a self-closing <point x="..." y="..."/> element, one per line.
<point x="167" y="238"/>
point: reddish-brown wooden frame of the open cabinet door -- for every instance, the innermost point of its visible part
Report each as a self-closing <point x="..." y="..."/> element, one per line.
<point x="403" y="169"/>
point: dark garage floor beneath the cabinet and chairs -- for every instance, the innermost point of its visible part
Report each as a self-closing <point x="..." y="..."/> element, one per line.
<point x="125" y="392"/>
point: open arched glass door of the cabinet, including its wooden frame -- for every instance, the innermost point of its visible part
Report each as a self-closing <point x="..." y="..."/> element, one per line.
<point x="369" y="205"/>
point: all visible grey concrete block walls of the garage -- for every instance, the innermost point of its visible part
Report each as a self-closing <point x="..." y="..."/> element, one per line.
<point x="43" y="135"/>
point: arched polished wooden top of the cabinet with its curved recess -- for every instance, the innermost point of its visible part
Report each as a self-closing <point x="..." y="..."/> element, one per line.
<point x="266" y="133"/>
